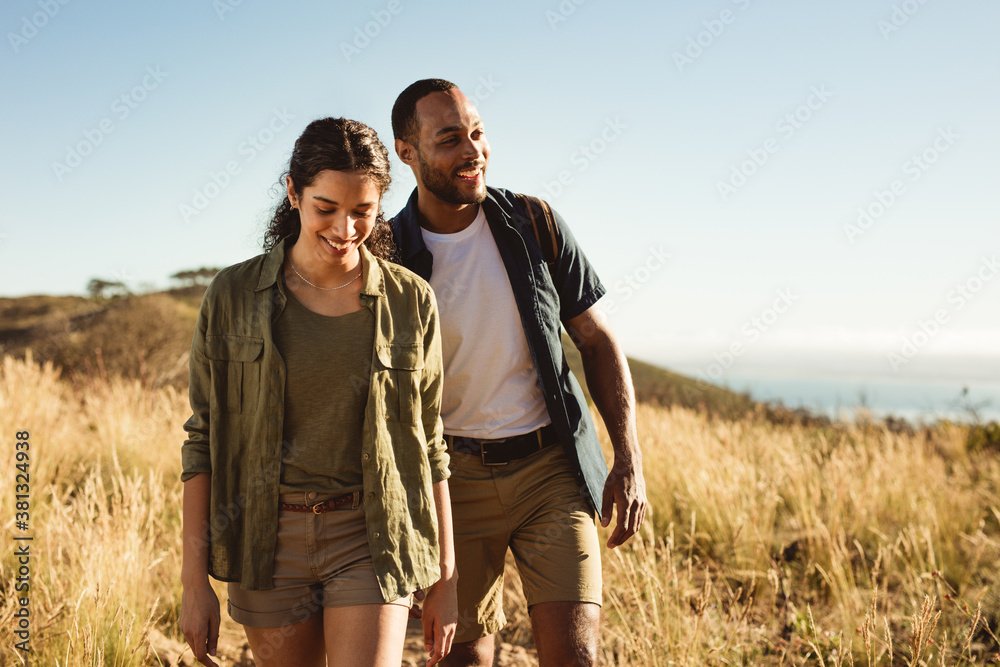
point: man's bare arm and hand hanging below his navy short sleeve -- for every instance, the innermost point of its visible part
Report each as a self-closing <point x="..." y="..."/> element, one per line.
<point x="610" y="384"/>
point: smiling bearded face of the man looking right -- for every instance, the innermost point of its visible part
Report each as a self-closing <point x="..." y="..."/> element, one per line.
<point x="452" y="150"/>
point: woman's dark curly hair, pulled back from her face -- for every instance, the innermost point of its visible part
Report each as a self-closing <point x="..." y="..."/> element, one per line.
<point x="338" y="144"/>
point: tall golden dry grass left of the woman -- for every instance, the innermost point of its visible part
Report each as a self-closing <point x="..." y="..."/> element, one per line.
<point x="104" y="517"/>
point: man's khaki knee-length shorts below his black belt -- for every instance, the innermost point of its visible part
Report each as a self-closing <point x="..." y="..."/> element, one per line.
<point x="535" y="507"/>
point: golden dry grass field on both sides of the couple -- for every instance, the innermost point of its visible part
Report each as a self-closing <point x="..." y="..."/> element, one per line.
<point x="767" y="545"/>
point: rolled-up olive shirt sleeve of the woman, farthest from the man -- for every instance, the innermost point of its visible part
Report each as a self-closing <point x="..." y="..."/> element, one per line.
<point x="195" y="452"/>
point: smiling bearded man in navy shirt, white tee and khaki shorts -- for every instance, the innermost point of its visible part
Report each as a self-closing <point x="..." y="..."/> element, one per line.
<point x="527" y="468"/>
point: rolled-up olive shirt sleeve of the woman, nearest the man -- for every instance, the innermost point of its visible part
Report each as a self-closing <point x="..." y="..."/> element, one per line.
<point x="430" y="393"/>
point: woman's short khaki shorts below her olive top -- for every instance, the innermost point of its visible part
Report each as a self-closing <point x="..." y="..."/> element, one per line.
<point x="321" y="560"/>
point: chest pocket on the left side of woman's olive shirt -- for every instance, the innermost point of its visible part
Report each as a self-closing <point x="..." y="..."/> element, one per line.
<point x="235" y="363"/>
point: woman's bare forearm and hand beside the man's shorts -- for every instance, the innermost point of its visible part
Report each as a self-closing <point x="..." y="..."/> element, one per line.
<point x="440" y="613"/>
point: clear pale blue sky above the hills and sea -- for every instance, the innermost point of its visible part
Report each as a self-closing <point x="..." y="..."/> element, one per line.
<point x="738" y="137"/>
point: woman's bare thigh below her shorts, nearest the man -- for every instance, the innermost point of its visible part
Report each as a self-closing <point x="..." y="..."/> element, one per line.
<point x="365" y="635"/>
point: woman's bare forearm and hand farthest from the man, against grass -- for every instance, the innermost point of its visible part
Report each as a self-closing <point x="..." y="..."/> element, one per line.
<point x="200" y="617"/>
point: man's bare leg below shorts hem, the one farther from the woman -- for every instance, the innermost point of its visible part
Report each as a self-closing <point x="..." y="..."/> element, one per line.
<point x="566" y="633"/>
